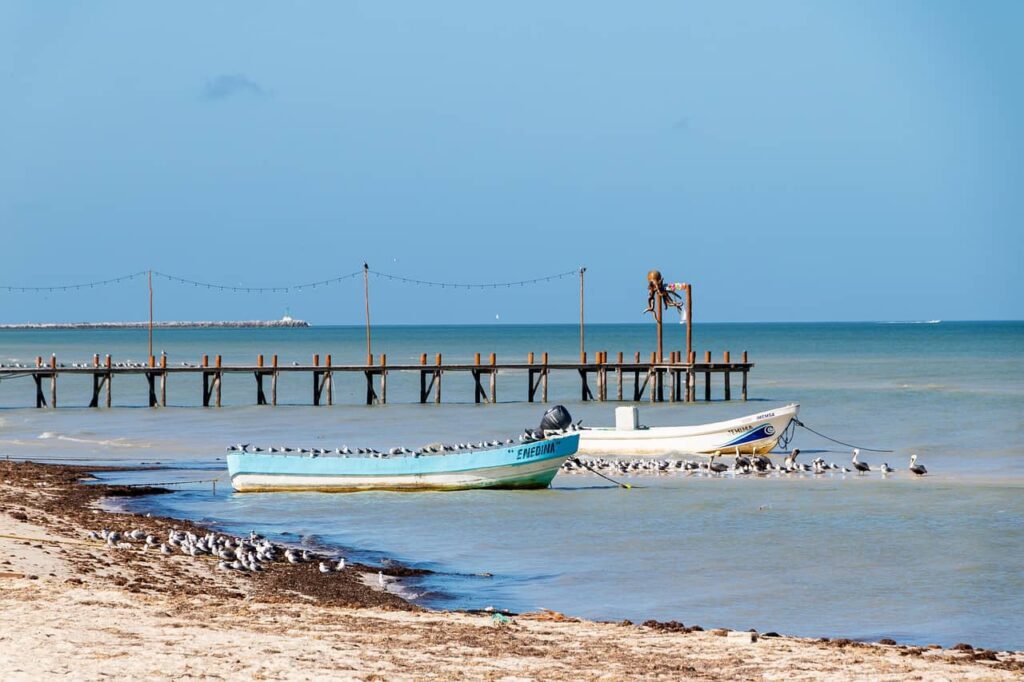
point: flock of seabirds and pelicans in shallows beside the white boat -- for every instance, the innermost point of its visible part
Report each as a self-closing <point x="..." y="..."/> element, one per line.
<point x="754" y="464"/>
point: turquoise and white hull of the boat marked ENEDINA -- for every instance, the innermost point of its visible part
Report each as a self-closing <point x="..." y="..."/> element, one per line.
<point x="525" y="466"/>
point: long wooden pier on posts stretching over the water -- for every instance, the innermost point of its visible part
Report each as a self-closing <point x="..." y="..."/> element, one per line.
<point x="632" y="379"/>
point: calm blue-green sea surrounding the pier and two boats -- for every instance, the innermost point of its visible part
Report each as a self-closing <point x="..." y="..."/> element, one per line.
<point x="938" y="560"/>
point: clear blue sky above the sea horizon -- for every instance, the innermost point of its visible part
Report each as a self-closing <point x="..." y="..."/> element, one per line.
<point x="796" y="161"/>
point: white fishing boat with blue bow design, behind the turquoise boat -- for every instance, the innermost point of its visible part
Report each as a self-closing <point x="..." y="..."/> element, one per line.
<point x="754" y="435"/>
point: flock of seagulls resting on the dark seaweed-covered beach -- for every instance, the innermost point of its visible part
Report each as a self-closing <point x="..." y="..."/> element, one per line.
<point x="245" y="556"/>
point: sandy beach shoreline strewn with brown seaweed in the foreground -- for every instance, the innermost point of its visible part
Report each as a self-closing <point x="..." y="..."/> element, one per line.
<point x="52" y="573"/>
